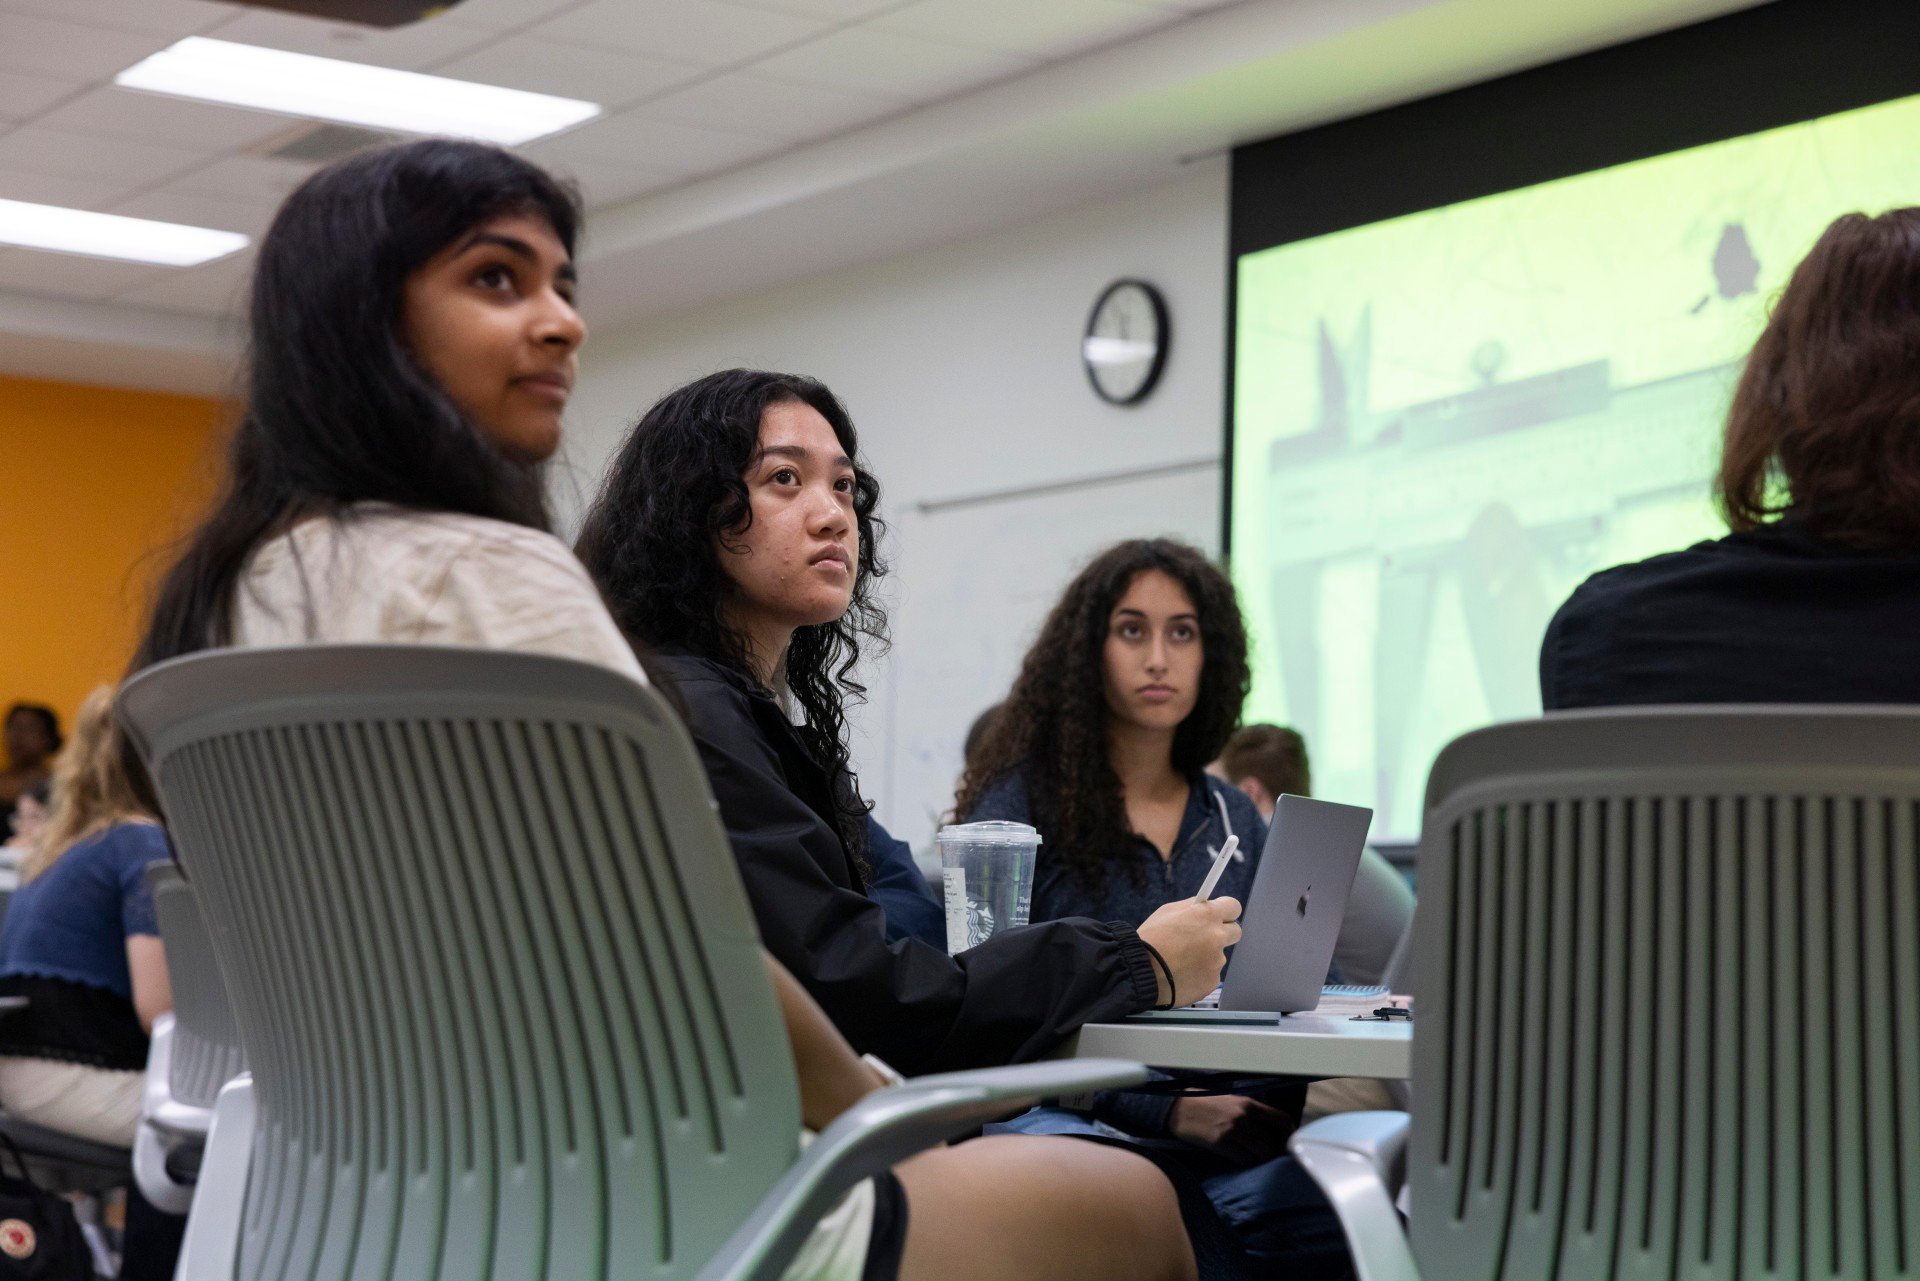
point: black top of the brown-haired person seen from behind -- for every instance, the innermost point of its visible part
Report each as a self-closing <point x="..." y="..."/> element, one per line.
<point x="1773" y="616"/>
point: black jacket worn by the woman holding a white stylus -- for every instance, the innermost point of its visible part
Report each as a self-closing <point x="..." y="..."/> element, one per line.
<point x="917" y="1007"/>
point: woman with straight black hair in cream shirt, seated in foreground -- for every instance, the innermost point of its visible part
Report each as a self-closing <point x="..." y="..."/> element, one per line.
<point x="414" y="349"/>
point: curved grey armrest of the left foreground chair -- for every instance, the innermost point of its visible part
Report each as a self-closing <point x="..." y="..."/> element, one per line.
<point x="884" y="1130"/>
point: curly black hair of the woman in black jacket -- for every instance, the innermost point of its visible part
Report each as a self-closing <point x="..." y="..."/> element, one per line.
<point x="652" y="541"/>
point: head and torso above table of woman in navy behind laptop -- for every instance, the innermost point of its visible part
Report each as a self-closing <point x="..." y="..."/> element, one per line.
<point x="1132" y="689"/>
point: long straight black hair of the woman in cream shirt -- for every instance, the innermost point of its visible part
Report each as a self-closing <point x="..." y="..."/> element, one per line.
<point x="337" y="408"/>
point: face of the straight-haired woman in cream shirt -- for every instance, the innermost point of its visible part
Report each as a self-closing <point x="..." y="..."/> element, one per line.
<point x="492" y="322"/>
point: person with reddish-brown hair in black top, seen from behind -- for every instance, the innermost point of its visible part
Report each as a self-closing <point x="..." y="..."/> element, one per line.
<point x="1815" y="594"/>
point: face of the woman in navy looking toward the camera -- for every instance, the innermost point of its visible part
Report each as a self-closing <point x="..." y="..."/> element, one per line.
<point x="1153" y="654"/>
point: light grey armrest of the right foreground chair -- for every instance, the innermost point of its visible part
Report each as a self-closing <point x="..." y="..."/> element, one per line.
<point x="1358" y="1159"/>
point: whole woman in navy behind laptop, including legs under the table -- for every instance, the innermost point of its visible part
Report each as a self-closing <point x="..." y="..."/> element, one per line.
<point x="1132" y="689"/>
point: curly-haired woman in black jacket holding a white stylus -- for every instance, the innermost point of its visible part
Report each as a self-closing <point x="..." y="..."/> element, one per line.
<point x="736" y="541"/>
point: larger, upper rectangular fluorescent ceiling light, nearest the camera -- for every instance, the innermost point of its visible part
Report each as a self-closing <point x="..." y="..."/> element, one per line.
<point x="352" y="93"/>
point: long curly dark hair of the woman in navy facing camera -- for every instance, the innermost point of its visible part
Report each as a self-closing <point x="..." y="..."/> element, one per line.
<point x="1053" y="725"/>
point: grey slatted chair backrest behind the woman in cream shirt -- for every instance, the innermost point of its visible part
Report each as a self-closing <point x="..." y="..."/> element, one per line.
<point x="489" y="955"/>
